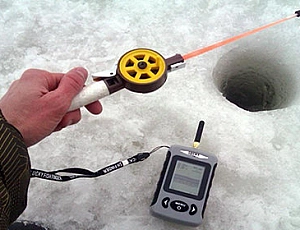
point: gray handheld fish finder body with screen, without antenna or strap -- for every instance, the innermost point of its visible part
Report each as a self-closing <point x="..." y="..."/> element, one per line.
<point x="183" y="188"/>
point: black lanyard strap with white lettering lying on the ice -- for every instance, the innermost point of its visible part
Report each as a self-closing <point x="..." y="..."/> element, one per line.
<point x="85" y="173"/>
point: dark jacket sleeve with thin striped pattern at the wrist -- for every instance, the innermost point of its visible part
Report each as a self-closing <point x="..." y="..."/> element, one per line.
<point x="14" y="173"/>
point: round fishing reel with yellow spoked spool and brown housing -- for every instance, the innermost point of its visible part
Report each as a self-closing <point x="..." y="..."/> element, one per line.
<point x="143" y="70"/>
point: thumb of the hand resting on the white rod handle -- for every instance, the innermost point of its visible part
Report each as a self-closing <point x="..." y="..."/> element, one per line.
<point x="72" y="82"/>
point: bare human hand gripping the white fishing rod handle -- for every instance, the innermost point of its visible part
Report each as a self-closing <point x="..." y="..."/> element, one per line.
<point x="37" y="104"/>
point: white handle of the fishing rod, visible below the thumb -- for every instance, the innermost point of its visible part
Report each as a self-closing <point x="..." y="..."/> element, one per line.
<point x="89" y="94"/>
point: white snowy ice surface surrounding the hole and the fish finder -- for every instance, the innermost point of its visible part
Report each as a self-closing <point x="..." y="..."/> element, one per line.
<point x="256" y="185"/>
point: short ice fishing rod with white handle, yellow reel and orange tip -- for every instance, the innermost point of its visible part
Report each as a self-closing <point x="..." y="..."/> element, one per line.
<point x="145" y="70"/>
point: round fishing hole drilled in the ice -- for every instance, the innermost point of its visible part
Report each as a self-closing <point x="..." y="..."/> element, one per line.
<point x="254" y="79"/>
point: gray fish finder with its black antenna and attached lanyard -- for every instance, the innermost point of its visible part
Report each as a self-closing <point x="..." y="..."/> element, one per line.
<point x="182" y="190"/>
